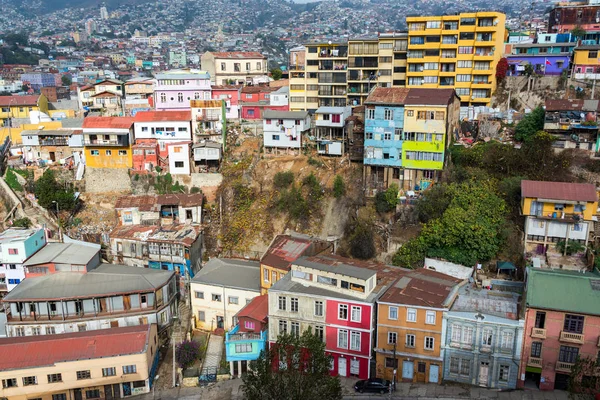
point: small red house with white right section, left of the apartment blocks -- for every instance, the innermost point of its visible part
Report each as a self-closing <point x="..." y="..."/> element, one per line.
<point x="256" y="99"/>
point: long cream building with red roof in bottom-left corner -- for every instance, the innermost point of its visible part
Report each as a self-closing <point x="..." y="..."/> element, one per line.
<point x="109" y="363"/>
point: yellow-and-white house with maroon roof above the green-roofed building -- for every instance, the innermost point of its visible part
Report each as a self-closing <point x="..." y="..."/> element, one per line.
<point x="557" y="211"/>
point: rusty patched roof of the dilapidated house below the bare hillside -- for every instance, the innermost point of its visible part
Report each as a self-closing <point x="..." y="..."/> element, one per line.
<point x="178" y="234"/>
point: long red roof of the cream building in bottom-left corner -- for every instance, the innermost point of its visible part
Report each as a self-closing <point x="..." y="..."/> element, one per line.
<point x="41" y="351"/>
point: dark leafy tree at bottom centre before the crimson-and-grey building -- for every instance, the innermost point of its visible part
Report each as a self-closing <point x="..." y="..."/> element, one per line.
<point x="294" y="368"/>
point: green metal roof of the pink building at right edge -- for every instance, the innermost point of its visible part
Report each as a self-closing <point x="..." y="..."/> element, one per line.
<point x="564" y="290"/>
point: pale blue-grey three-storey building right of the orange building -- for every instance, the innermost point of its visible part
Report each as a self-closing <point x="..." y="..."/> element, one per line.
<point x="483" y="338"/>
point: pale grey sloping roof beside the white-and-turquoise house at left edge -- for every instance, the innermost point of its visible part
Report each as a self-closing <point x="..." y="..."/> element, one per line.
<point x="63" y="253"/>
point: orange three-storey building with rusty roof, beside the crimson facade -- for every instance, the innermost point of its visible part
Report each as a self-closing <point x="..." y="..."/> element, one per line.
<point x="410" y="328"/>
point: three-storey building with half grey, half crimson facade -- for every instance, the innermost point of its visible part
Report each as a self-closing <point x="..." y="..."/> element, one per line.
<point x="335" y="297"/>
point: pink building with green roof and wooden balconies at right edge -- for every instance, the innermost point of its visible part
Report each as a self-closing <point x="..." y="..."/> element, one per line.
<point x="562" y="322"/>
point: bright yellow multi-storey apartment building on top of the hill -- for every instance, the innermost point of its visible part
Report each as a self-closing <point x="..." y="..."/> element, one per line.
<point x="459" y="51"/>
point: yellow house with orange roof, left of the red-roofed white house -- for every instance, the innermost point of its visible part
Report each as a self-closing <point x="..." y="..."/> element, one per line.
<point x="107" y="142"/>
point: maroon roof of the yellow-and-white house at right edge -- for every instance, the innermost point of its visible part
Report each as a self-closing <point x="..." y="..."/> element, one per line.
<point x="559" y="191"/>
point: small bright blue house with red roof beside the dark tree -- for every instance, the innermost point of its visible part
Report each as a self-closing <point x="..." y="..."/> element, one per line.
<point x="249" y="337"/>
